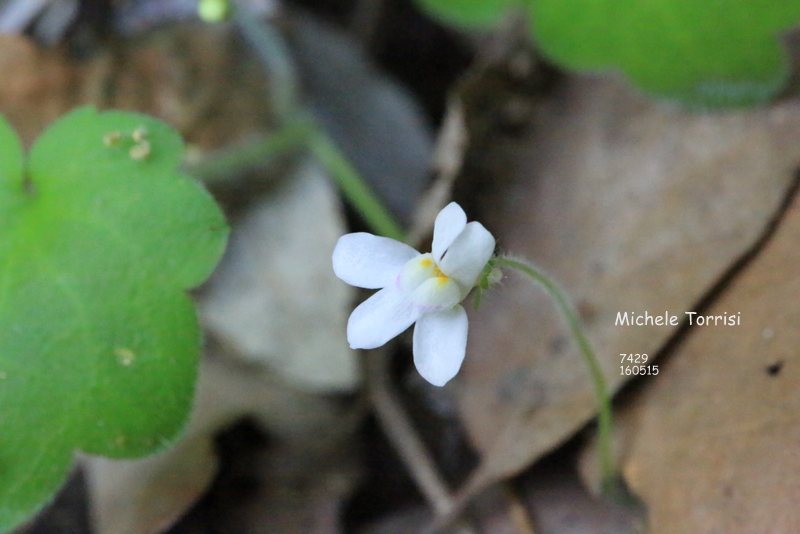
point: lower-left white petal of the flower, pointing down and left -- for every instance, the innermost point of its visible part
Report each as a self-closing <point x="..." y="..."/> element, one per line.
<point x="381" y="317"/>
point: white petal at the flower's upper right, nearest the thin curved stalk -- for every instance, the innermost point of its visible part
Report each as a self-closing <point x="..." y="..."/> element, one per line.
<point x="468" y="255"/>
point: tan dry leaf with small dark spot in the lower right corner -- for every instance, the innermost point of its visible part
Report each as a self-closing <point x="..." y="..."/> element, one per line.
<point x="713" y="439"/>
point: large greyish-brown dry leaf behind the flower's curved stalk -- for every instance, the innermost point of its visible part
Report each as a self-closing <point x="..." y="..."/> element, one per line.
<point x="631" y="205"/>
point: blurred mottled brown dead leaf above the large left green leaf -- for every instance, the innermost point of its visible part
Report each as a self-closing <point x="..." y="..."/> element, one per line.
<point x="200" y="78"/>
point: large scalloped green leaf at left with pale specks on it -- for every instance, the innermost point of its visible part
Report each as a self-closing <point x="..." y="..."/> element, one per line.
<point x="100" y="237"/>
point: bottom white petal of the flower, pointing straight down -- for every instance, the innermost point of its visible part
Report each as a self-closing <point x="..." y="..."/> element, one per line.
<point x="440" y="343"/>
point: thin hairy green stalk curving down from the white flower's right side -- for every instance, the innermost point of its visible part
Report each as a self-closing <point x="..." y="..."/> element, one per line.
<point x="604" y="426"/>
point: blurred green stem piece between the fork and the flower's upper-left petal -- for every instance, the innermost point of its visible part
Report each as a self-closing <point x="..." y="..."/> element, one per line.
<point x="354" y="188"/>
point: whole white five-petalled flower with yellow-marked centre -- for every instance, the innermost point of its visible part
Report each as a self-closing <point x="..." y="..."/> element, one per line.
<point x="414" y="287"/>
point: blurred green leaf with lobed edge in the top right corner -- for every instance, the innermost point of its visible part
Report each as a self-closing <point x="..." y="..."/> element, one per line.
<point x="706" y="53"/>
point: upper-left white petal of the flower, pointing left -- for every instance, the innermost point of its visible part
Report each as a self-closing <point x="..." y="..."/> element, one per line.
<point x="366" y="260"/>
